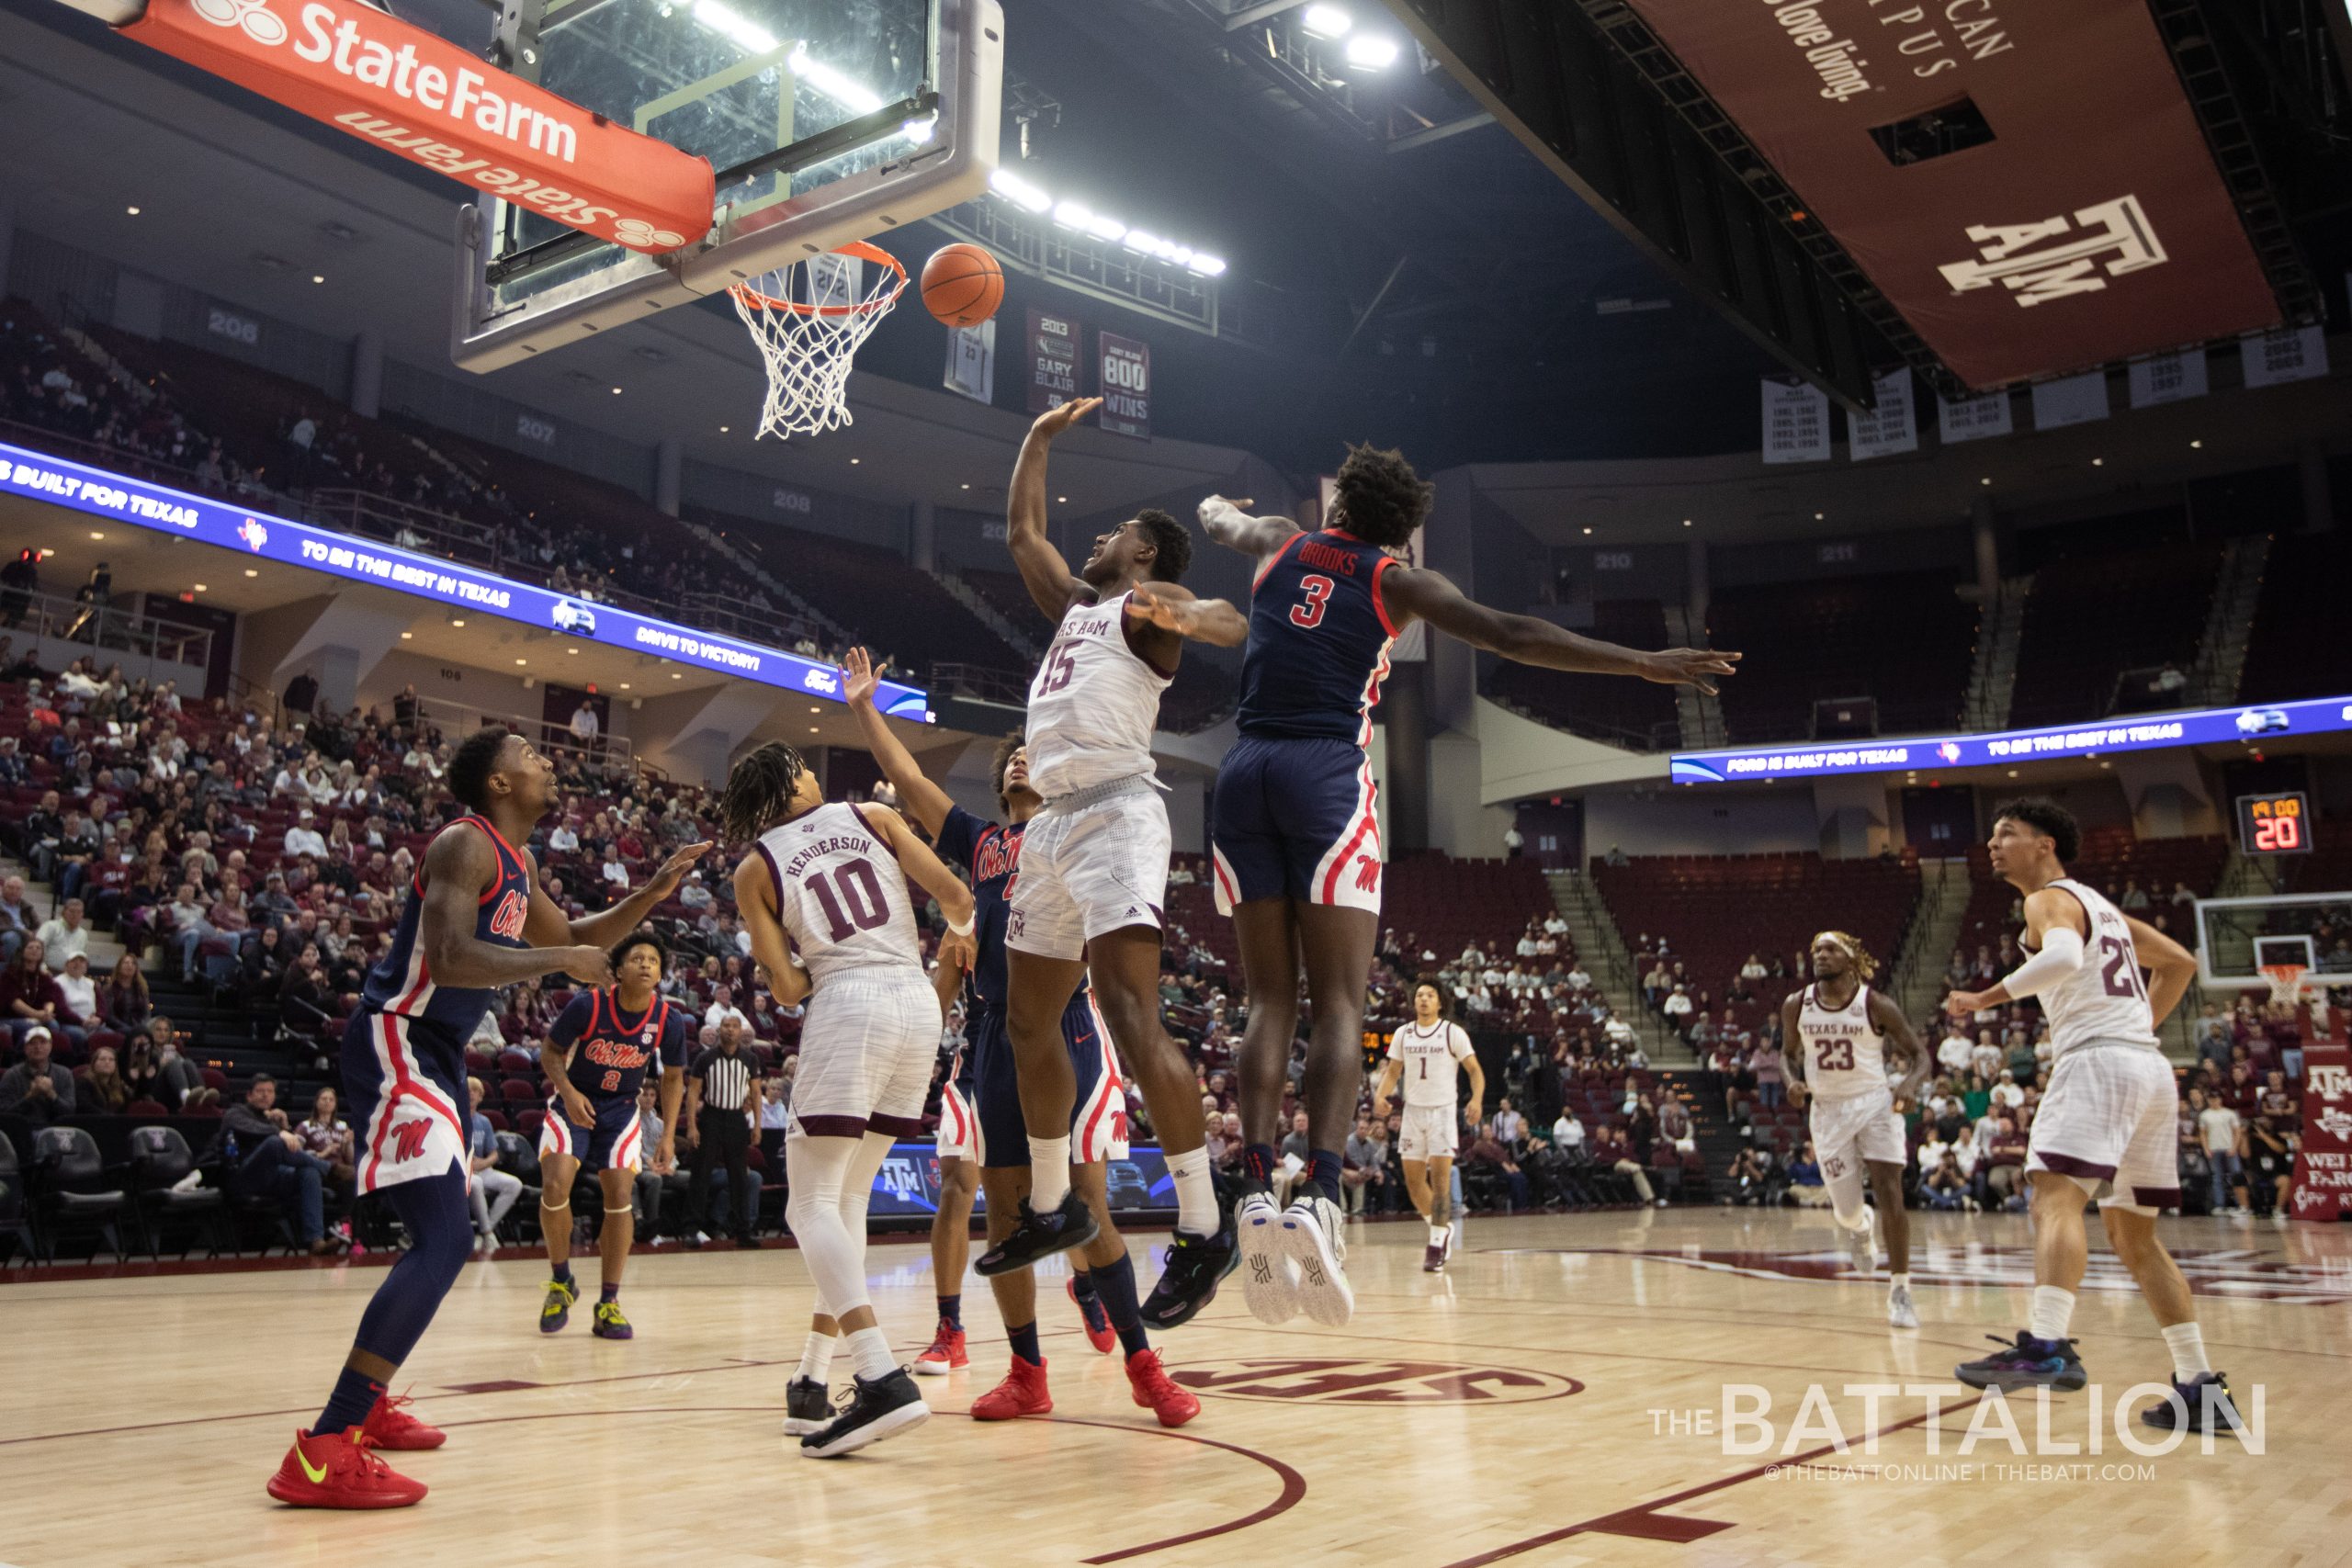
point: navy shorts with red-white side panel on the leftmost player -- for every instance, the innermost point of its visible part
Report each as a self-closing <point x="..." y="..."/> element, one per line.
<point x="406" y="1092"/>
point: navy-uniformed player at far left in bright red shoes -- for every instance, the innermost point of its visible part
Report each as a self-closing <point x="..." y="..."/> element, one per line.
<point x="476" y="920"/>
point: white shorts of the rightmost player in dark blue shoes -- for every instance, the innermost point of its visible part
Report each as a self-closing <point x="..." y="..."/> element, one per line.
<point x="2111" y="1120"/>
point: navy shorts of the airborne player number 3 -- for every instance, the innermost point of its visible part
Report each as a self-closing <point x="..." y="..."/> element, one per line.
<point x="1295" y="819"/>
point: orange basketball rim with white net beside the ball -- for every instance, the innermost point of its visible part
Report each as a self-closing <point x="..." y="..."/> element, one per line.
<point x="808" y="321"/>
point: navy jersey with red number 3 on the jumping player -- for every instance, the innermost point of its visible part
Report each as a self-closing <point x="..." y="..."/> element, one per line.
<point x="1318" y="641"/>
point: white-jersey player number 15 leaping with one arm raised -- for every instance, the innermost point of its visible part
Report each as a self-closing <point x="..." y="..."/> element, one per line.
<point x="1095" y="866"/>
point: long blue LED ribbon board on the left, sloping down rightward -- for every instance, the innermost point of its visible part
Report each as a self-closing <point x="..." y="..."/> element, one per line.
<point x="422" y="577"/>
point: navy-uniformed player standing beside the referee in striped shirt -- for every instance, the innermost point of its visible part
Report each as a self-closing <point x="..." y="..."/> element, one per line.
<point x="596" y="1054"/>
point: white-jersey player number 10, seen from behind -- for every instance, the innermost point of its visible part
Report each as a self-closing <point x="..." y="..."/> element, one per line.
<point x="824" y="899"/>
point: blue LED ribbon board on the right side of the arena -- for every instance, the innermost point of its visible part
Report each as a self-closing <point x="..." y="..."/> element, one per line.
<point x="2127" y="735"/>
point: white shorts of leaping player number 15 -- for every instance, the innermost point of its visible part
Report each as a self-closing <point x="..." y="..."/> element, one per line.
<point x="1090" y="864"/>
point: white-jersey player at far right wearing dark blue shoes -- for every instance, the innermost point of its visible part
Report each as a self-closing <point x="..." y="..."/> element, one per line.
<point x="2106" y="1123"/>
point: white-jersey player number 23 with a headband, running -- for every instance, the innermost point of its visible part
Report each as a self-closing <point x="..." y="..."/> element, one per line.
<point x="1836" y="1038"/>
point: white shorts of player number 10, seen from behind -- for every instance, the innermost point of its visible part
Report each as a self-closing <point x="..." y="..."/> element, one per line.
<point x="867" y="1054"/>
